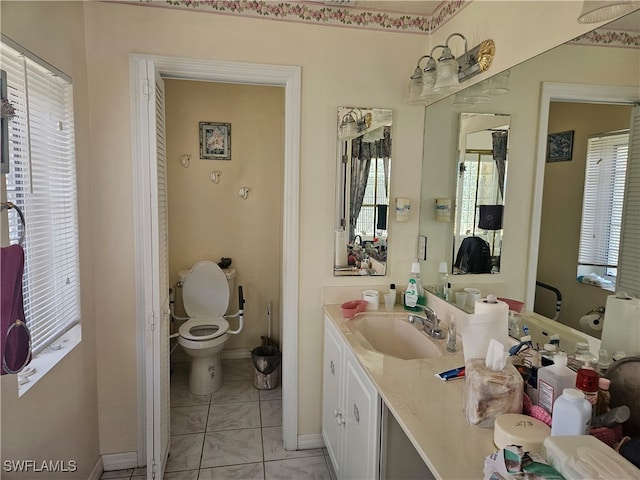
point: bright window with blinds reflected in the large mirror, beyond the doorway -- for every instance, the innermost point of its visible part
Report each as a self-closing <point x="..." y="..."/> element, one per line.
<point x="604" y="185"/>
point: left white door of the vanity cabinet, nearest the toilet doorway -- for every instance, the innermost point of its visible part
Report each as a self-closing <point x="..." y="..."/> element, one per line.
<point x="332" y="418"/>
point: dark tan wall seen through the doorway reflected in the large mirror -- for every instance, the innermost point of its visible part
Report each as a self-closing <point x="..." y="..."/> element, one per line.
<point x="562" y="210"/>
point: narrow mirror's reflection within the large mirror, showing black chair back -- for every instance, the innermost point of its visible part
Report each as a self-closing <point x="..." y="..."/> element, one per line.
<point x="480" y="191"/>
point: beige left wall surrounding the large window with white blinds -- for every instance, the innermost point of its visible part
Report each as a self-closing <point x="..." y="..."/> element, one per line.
<point x="57" y="418"/>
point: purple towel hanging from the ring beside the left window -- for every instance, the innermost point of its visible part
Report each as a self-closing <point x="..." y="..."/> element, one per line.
<point x="15" y="341"/>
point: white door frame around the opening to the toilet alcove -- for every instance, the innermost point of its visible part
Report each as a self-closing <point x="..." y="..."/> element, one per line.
<point x="184" y="68"/>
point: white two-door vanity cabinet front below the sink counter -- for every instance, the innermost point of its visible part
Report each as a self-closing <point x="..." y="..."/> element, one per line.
<point x="351" y="411"/>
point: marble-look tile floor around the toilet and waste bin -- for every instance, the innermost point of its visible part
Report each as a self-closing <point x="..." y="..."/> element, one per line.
<point x="232" y="434"/>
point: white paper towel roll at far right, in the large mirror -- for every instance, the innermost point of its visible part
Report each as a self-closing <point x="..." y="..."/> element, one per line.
<point x="621" y="329"/>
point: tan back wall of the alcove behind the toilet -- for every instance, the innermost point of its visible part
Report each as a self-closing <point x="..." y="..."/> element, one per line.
<point x="208" y="221"/>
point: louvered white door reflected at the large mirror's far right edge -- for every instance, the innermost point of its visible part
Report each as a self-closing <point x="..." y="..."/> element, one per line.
<point x="629" y="271"/>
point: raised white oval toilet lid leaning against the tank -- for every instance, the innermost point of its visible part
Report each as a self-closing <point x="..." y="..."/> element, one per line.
<point x="205" y="291"/>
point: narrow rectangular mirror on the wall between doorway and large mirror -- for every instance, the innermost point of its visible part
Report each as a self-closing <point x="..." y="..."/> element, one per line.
<point x="362" y="196"/>
